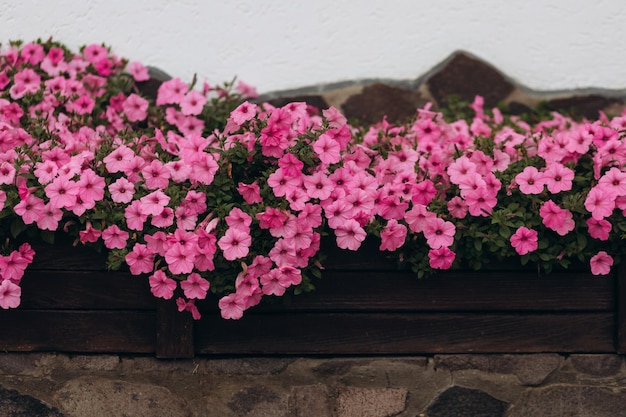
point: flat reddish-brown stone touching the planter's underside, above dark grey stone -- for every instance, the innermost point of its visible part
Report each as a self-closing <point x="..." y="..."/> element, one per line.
<point x="530" y="369"/>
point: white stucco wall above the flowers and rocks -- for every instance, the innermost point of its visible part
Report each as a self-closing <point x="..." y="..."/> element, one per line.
<point x="284" y="44"/>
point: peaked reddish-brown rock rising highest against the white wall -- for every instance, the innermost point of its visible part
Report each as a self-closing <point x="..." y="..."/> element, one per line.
<point x="466" y="76"/>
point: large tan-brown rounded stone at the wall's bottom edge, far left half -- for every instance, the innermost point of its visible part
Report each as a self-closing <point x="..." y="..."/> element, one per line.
<point x="88" y="397"/>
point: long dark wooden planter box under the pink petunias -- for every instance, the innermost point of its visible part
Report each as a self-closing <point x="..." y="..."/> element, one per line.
<point x="363" y="305"/>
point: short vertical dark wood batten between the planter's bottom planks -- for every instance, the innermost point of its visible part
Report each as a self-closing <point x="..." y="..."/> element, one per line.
<point x="174" y="332"/>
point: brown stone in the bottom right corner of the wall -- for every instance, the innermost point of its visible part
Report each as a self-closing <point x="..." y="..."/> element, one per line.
<point x="571" y="401"/>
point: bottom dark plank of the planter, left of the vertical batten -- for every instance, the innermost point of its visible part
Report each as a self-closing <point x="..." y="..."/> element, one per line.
<point x="78" y="331"/>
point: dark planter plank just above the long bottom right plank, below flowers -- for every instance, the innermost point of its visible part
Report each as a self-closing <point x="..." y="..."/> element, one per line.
<point x="394" y="291"/>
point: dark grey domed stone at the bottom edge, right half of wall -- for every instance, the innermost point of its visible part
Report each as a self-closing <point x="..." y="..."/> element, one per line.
<point x="465" y="402"/>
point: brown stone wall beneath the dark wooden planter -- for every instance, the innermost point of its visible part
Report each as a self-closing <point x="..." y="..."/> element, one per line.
<point x="538" y="385"/>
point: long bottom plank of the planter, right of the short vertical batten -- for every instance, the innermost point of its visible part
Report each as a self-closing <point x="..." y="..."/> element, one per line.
<point x="344" y="334"/>
